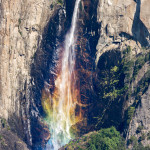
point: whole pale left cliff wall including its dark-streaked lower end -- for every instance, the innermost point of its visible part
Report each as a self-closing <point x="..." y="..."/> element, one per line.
<point x="21" y="27"/>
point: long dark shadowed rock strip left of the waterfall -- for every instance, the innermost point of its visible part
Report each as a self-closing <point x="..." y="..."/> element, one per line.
<point x="40" y="72"/>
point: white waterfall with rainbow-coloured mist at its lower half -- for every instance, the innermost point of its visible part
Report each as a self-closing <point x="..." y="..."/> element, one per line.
<point x="61" y="105"/>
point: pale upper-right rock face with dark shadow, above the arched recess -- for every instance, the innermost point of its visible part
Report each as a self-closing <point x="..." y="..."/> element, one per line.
<point x="120" y="20"/>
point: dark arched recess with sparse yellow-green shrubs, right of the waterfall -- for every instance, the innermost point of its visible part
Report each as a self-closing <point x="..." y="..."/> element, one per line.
<point x="111" y="109"/>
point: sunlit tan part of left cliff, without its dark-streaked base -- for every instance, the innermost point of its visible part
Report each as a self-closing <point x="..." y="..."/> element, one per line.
<point x="21" y="25"/>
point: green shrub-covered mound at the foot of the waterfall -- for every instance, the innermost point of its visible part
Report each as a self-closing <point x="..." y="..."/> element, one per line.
<point x="104" y="139"/>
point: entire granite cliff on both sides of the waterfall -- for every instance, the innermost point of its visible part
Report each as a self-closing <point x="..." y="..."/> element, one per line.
<point x="112" y="59"/>
